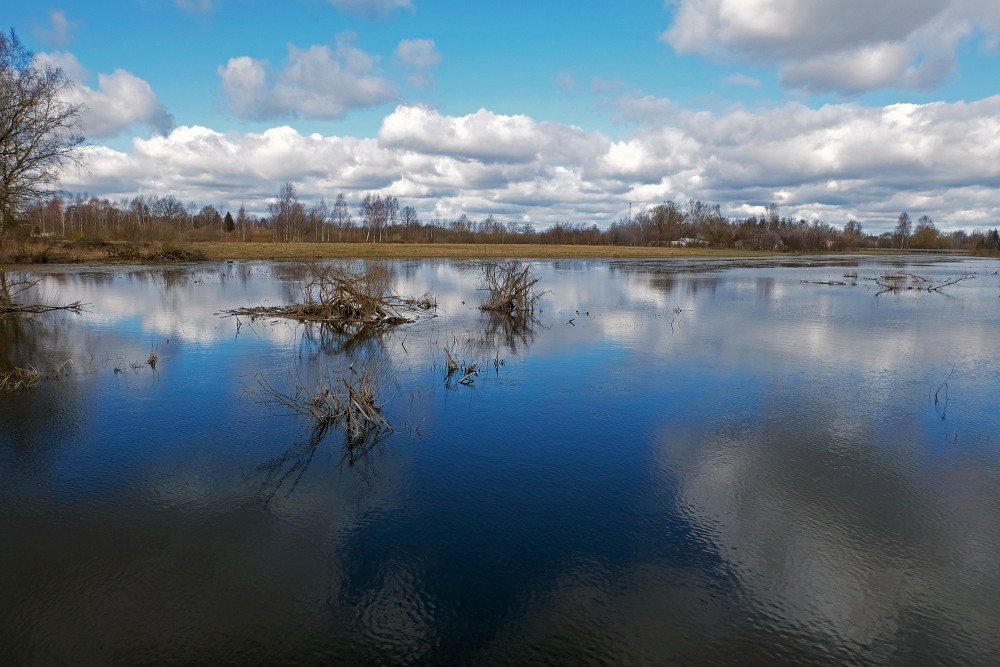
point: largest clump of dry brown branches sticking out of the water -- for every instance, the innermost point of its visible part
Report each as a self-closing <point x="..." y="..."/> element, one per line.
<point x="348" y="297"/>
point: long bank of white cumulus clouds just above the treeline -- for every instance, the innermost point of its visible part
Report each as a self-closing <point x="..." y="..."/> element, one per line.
<point x="837" y="162"/>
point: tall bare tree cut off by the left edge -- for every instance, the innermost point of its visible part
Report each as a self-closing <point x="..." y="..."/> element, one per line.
<point x="39" y="130"/>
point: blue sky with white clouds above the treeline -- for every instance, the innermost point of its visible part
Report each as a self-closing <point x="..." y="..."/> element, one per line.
<point x="539" y="112"/>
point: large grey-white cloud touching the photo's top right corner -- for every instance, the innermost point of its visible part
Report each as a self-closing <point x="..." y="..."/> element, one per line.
<point x="844" y="46"/>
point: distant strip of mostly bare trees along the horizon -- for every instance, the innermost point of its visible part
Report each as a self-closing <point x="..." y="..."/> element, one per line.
<point x="378" y="219"/>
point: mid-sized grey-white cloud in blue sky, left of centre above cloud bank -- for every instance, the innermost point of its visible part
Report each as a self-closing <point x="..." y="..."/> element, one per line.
<point x="316" y="82"/>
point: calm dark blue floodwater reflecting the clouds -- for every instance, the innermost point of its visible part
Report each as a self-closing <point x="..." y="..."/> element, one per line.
<point x="714" y="462"/>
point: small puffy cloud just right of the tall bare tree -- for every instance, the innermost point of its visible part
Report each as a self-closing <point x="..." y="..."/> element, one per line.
<point x="120" y="100"/>
